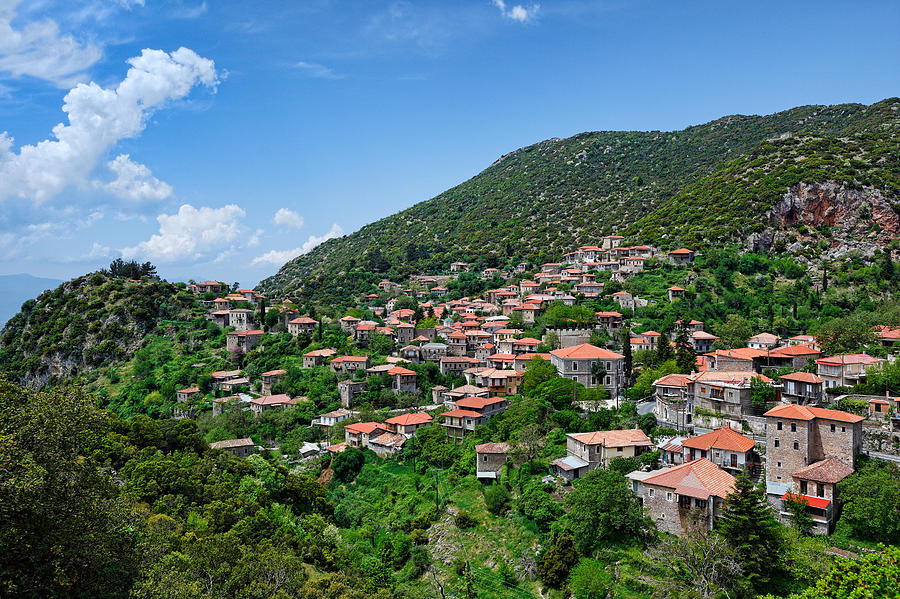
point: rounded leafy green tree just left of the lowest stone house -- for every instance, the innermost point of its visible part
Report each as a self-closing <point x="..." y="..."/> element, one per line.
<point x="603" y="508"/>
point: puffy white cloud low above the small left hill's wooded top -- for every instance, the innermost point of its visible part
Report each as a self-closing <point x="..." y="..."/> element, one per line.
<point x="191" y="234"/>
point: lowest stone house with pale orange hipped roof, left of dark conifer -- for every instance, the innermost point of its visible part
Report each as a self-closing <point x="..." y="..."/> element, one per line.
<point x="681" y="497"/>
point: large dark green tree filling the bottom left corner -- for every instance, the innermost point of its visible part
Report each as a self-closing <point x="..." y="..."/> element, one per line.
<point x="65" y="533"/>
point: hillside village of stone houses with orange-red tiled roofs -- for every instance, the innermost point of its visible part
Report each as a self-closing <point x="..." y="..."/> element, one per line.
<point x="800" y="446"/>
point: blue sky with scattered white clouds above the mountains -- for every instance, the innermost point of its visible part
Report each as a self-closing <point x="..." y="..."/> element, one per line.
<point x="218" y="139"/>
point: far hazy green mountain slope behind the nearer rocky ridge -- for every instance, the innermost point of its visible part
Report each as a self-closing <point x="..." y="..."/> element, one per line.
<point x="539" y="201"/>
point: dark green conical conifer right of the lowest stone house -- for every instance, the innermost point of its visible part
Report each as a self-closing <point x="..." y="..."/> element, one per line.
<point x="749" y="526"/>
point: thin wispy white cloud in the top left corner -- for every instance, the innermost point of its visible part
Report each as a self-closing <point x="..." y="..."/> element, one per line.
<point x="39" y="50"/>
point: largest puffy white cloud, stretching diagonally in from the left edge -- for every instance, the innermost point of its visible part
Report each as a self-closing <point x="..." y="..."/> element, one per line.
<point x="98" y="119"/>
